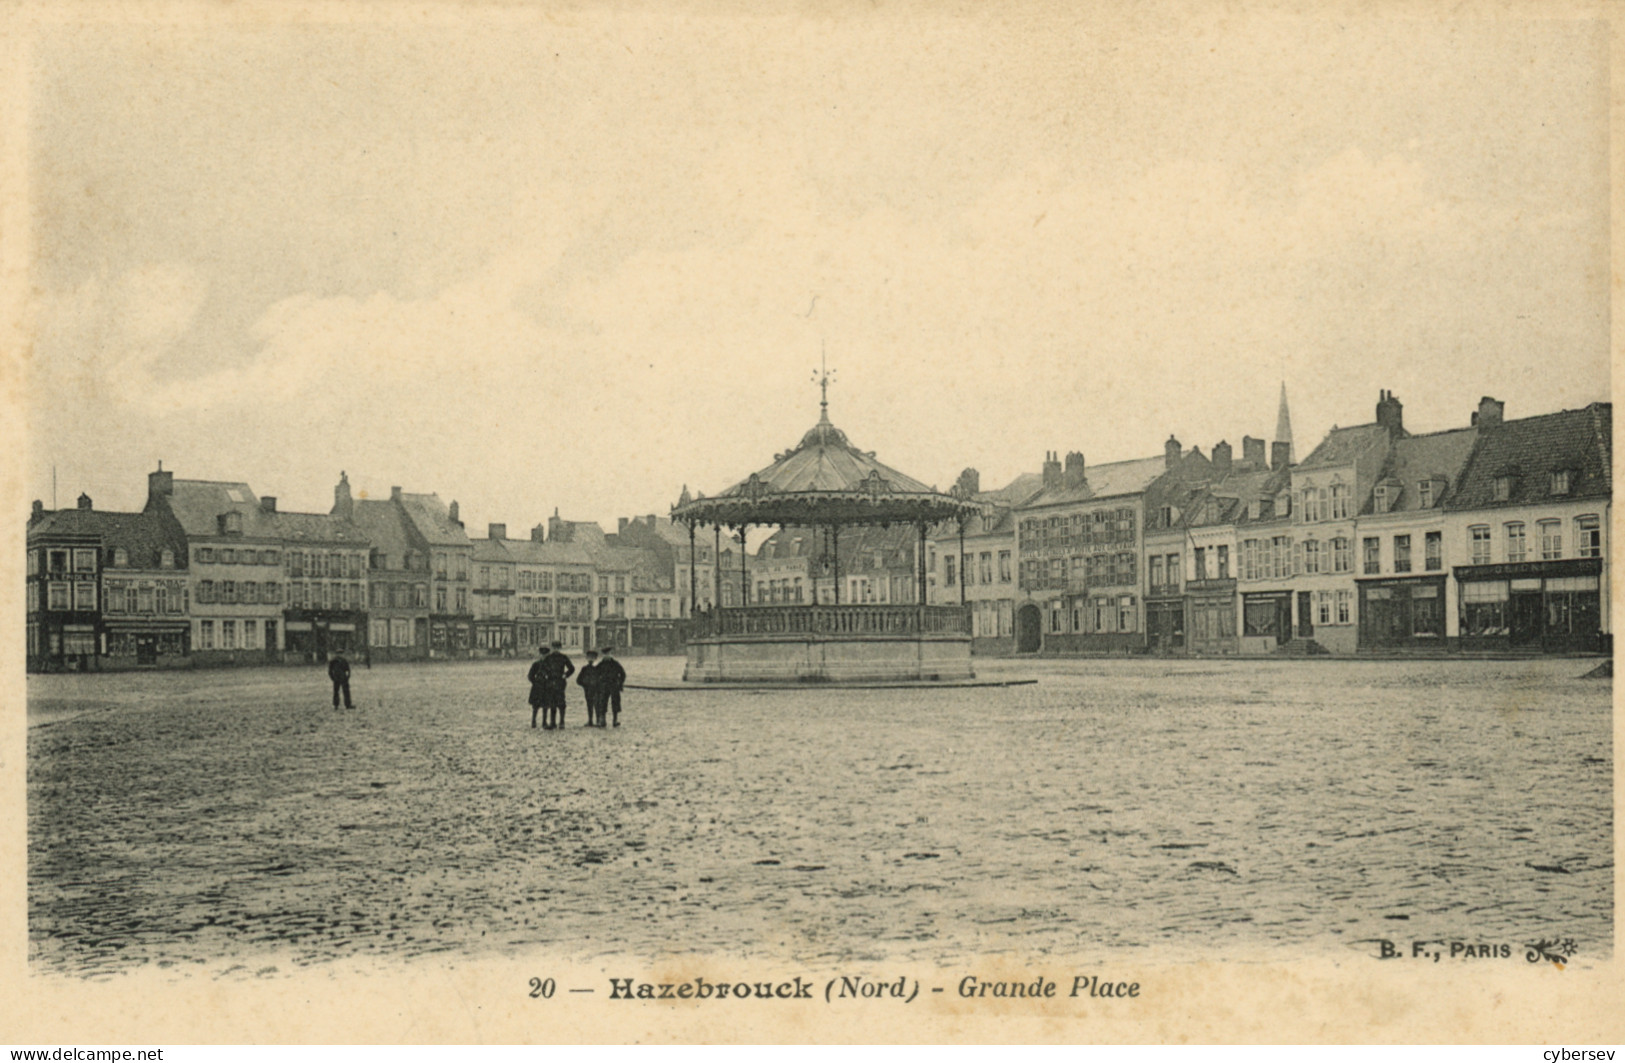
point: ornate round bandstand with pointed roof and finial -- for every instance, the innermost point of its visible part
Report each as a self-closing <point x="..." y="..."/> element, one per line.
<point x="826" y="485"/>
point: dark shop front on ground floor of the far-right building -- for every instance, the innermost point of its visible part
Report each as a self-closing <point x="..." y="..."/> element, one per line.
<point x="1538" y="607"/>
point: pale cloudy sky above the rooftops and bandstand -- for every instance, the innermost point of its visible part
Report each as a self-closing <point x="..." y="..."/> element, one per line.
<point x="584" y="259"/>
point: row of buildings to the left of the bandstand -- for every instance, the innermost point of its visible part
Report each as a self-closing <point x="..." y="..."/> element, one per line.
<point x="209" y="573"/>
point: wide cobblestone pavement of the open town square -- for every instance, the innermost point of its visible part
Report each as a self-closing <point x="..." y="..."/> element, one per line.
<point x="1203" y="809"/>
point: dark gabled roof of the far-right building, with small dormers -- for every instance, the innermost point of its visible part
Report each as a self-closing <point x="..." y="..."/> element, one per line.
<point x="1535" y="448"/>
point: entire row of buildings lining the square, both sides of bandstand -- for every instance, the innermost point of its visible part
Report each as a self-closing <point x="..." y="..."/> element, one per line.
<point x="1493" y="537"/>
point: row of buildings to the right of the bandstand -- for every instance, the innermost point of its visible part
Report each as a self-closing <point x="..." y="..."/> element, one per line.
<point x="1493" y="537"/>
